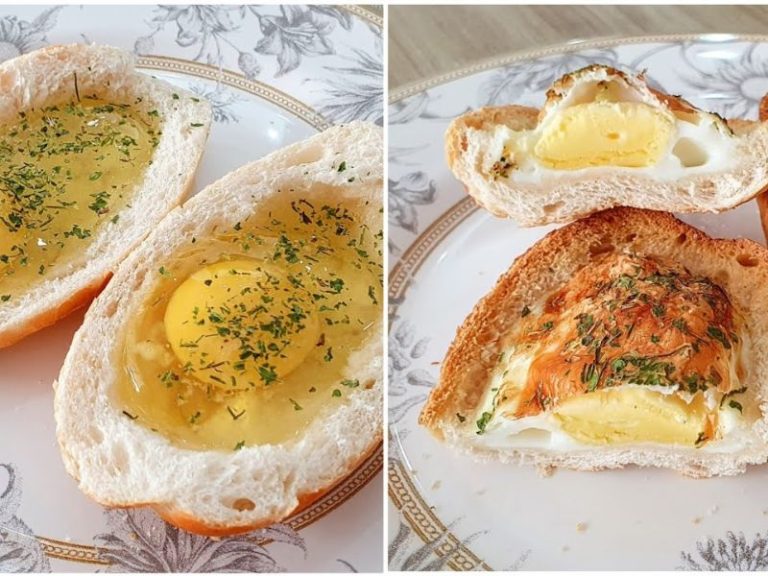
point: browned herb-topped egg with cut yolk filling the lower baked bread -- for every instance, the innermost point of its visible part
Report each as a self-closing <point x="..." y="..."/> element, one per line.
<point x="628" y="350"/>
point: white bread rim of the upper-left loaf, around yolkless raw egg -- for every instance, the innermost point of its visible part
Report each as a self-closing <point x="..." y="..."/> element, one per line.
<point x="45" y="77"/>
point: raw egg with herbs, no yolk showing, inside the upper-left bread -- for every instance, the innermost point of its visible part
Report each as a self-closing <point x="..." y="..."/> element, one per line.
<point x="65" y="171"/>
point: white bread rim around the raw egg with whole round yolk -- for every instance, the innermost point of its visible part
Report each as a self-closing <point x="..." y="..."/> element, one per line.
<point x="121" y="463"/>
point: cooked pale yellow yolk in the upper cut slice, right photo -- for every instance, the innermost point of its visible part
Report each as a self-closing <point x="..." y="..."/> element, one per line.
<point x="627" y="134"/>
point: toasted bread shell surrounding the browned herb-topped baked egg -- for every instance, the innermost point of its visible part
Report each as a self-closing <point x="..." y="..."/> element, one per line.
<point x="740" y="267"/>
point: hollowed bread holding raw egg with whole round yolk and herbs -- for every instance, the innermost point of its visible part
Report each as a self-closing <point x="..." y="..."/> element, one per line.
<point x="230" y="373"/>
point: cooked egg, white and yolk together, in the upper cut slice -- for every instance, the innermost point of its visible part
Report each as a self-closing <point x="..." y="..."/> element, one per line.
<point x="600" y="123"/>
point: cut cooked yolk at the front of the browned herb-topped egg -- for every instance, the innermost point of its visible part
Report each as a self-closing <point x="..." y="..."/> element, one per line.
<point x="613" y="416"/>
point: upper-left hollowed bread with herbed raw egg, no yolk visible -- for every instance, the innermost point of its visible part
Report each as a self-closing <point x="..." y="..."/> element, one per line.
<point x="92" y="155"/>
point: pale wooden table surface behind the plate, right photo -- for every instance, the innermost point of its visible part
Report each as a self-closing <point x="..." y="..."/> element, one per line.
<point x="426" y="41"/>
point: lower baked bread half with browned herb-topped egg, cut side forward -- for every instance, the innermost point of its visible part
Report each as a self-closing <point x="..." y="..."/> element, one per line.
<point x="628" y="337"/>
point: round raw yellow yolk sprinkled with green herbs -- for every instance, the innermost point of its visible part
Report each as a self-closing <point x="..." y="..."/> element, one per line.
<point x="240" y="324"/>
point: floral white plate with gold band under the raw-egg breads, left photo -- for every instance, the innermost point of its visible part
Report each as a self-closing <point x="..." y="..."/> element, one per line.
<point x="274" y="75"/>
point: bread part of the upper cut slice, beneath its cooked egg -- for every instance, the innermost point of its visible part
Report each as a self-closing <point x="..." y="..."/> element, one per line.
<point x="569" y="196"/>
